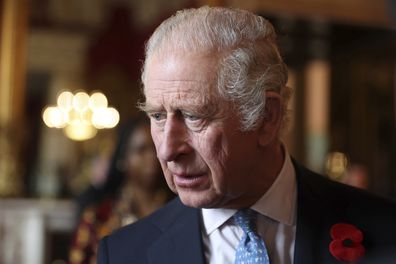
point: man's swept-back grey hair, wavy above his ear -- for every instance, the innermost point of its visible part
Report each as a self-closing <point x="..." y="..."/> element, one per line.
<point x="249" y="59"/>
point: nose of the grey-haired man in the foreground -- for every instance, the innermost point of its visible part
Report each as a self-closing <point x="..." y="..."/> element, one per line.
<point x="174" y="140"/>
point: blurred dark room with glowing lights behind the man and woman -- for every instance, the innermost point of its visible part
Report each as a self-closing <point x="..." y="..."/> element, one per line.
<point x="69" y="77"/>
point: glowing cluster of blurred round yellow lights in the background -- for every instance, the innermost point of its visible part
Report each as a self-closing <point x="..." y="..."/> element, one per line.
<point x="81" y="115"/>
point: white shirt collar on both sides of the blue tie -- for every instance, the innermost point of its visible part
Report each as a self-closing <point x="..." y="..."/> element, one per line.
<point x="278" y="203"/>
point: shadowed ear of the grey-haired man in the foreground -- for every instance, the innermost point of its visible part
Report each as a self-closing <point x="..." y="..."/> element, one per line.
<point x="270" y="125"/>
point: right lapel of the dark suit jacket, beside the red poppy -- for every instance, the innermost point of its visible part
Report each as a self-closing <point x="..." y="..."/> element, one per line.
<point x="315" y="216"/>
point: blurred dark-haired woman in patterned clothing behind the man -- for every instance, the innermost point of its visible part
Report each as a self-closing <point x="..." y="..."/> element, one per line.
<point x="134" y="188"/>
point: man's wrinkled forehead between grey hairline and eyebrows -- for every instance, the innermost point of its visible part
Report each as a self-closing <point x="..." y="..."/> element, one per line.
<point x="181" y="81"/>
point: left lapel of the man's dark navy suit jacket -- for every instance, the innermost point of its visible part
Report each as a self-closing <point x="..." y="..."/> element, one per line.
<point x="181" y="241"/>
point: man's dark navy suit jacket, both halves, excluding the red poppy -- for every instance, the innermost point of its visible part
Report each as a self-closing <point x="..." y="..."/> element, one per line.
<point x="172" y="234"/>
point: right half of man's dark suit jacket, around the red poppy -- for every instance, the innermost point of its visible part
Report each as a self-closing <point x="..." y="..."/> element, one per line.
<point x="322" y="203"/>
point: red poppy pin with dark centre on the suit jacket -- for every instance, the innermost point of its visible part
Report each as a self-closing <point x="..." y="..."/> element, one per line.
<point x="347" y="243"/>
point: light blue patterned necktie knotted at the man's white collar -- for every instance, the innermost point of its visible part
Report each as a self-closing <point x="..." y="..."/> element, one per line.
<point x="251" y="249"/>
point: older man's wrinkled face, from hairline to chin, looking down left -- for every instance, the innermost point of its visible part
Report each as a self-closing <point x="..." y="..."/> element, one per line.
<point x="205" y="157"/>
